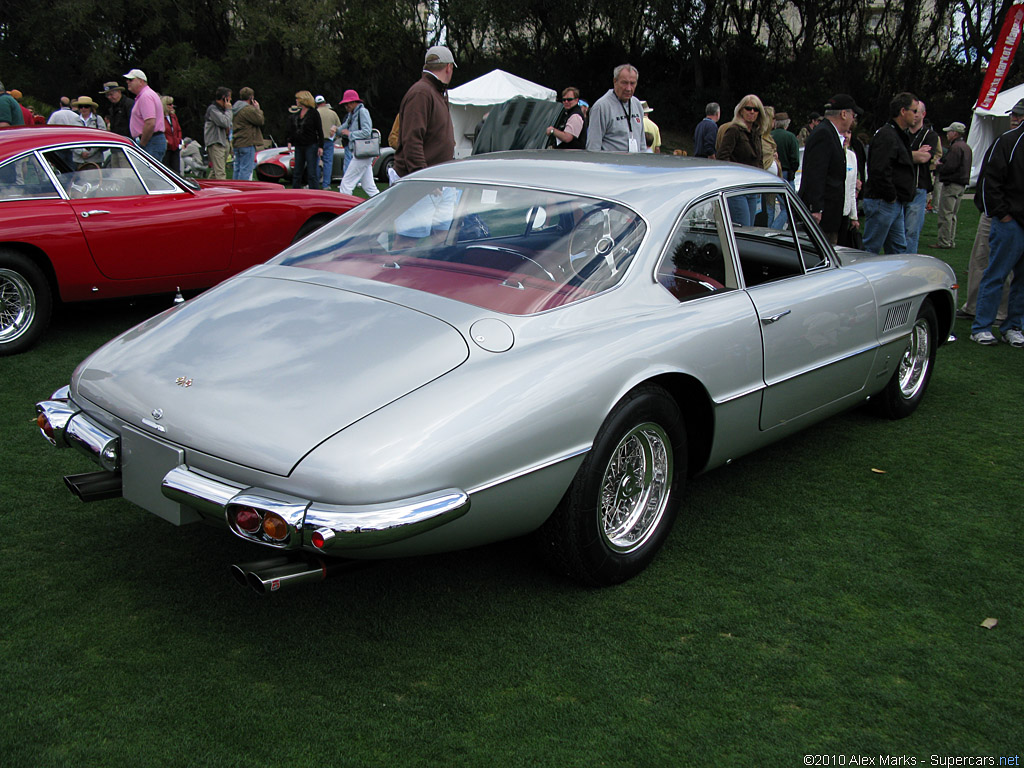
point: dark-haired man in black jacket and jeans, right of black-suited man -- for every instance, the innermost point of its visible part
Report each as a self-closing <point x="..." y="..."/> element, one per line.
<point x="891" y="180"/>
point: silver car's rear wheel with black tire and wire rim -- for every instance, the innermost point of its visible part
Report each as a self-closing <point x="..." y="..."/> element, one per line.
<point x="624" y="499"/>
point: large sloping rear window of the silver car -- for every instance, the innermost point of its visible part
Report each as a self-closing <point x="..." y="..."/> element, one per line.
<point x="506" y="249"/>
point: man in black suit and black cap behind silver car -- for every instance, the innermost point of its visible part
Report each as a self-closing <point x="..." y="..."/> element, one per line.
<point x="823" y="186"/>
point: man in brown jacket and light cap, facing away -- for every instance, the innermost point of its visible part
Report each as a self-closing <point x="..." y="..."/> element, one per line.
<point x="426" y="136"/>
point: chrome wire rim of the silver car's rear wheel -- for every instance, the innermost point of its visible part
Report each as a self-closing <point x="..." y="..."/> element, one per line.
<point x="635" y="488"/>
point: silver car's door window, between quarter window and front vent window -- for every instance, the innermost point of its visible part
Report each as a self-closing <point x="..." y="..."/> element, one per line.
<point x="765" y="241"/>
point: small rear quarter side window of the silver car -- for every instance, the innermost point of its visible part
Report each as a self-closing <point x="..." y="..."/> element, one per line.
<point x="696" y="263"/>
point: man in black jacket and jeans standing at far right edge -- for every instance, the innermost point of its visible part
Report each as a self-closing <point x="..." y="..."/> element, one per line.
<point x="1001" y="197"/>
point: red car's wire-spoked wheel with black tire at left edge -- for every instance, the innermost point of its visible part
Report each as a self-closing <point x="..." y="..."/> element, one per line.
<point x="26" y="304"/>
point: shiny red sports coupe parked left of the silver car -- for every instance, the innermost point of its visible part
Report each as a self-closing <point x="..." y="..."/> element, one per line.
<point x="86" y="215"/>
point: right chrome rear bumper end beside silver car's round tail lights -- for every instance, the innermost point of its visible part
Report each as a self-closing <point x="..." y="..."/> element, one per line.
<point x="382" y="524"/>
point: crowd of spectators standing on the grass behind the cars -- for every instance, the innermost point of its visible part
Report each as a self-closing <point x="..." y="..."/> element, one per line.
<point x="870" y="193"/>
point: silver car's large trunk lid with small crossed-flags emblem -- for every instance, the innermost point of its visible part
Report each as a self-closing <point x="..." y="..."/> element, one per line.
<point x="261" y="371"/>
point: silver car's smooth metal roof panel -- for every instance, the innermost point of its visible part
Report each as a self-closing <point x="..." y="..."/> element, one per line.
<point x="638" y="179"/>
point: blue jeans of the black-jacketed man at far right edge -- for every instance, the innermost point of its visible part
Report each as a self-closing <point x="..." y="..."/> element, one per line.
<point x="1006" y="254"/>
